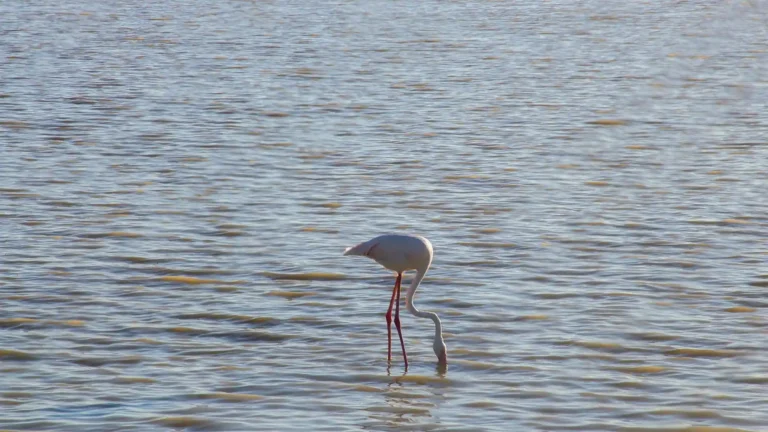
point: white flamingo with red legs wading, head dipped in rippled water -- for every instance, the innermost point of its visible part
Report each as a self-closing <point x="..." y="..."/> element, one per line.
<point x="399" y="252"/>
